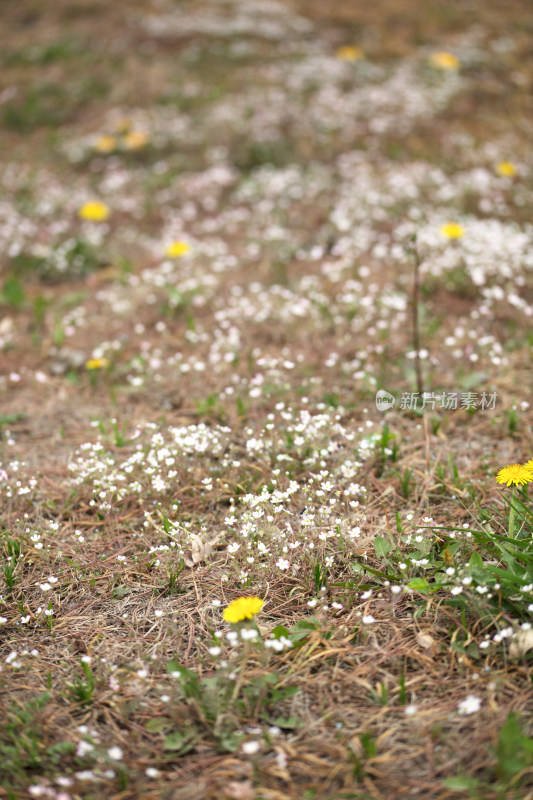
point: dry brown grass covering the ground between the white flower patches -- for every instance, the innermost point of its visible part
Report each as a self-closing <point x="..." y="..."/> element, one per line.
<point x="344" y="732"/>
